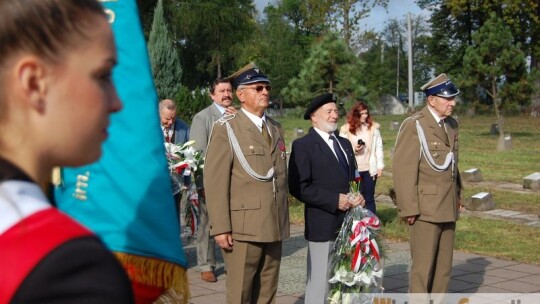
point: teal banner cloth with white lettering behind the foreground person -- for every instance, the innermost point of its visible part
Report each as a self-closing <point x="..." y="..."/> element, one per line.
<point x="126" y="196"/>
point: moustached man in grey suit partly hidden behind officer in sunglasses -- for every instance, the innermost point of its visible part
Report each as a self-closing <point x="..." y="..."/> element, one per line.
<point x="201" y="126"/>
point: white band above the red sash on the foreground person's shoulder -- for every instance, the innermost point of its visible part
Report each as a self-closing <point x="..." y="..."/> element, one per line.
<point x="18" y="200"/>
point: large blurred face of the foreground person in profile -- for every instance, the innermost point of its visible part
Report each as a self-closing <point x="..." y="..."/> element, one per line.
<point x="79" y="98"/>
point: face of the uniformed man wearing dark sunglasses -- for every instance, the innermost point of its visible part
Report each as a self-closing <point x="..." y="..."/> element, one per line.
<point x="255" y="97"/>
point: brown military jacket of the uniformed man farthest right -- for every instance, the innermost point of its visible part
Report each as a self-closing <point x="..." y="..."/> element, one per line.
<point x="420" y="190"/>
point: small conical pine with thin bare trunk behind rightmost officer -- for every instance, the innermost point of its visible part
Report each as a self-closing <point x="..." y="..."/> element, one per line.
<point x="497" y="66"/>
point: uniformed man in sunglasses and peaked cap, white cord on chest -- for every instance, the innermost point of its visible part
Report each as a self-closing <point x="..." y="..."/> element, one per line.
<point x="246" y="191"/>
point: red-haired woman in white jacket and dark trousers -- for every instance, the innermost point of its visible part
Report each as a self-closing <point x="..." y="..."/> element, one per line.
<point x="364" y="135"/>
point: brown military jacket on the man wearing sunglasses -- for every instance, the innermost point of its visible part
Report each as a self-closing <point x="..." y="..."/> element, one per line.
<point x="252" y="210"/>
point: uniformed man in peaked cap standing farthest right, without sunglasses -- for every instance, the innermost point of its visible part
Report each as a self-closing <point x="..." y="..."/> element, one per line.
<point x="428" y="186"/>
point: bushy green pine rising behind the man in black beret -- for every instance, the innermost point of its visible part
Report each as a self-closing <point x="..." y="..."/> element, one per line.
<point x="330" y="67"/>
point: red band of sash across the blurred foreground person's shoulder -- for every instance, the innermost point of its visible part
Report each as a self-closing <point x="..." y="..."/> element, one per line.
<point x="25" y="244"/>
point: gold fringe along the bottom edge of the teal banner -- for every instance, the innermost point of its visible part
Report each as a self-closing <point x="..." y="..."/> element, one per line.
<point x="156" y="272"/>
